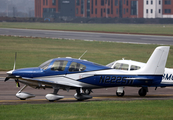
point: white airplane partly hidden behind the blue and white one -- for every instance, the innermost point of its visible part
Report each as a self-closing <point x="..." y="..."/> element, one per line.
<point x="130" y="65"/>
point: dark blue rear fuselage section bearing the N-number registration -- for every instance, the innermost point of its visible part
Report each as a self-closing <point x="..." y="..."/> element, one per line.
<point x="121" y="80"/>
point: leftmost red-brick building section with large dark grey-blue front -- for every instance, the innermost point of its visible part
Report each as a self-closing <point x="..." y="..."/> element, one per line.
<point x="54" y="8"/>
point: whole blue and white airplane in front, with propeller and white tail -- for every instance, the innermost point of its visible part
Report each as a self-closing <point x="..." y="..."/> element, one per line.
<point x="82" y="76"/>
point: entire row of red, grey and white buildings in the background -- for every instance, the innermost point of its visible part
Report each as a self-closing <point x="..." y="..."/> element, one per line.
<point x="104" y="8"/>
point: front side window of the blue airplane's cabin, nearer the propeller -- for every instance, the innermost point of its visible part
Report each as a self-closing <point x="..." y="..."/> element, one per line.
<point x="59" y="65"/>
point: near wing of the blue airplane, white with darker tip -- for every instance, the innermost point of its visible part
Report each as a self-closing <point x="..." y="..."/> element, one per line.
<point x="61" y="83"/>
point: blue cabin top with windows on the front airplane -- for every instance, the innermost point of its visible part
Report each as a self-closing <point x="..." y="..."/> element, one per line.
<point x="70" y="65"/>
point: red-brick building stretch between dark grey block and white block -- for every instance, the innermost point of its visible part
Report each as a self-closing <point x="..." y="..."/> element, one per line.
<point x="109" y="8"/>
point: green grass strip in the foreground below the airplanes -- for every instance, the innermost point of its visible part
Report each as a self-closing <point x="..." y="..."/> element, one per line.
<point x="97" y="110"/>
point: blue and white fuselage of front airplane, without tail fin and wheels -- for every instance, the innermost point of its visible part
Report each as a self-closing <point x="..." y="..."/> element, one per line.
<point x="93" y="76"/>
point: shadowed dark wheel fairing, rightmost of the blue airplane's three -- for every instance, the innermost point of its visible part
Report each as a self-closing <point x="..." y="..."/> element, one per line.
<point x="81" y="96"/>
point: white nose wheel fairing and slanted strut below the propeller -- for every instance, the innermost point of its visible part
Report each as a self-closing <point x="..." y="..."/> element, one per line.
<point x="22" y="95"/>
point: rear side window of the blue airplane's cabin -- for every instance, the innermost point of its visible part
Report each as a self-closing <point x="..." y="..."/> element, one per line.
<point x="76" y="67"/>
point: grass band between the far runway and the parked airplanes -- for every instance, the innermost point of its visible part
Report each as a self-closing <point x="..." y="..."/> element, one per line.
<point x="34" y="51"/>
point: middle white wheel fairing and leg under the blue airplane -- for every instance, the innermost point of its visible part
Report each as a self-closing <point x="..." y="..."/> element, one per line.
<point x="54" y="96"/>
